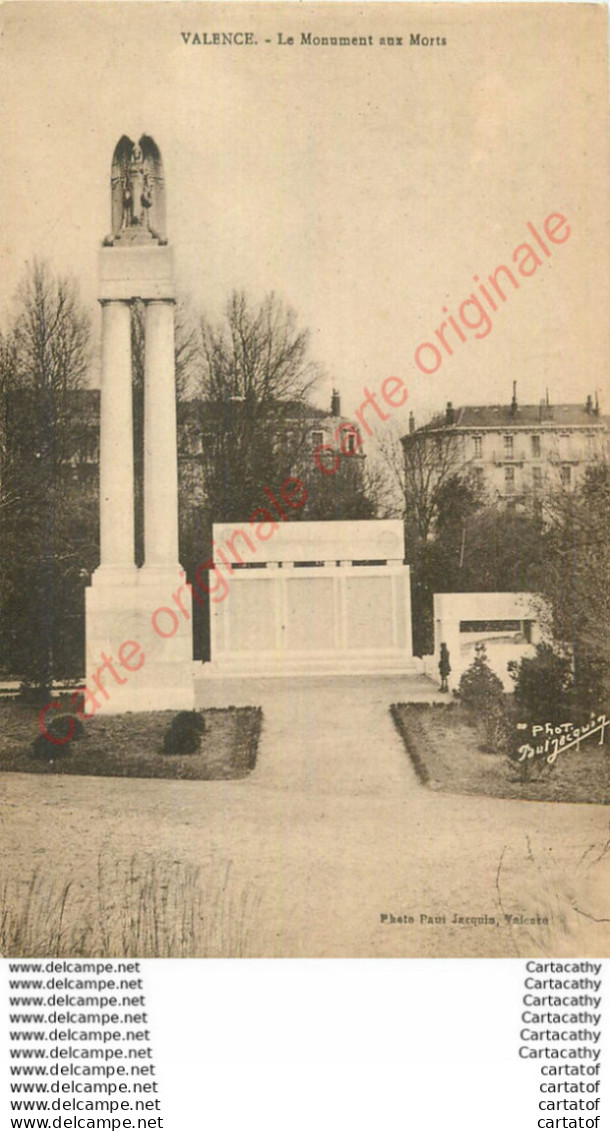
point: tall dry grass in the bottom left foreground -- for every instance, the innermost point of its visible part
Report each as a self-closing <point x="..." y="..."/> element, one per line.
<point x="143" y="908"/>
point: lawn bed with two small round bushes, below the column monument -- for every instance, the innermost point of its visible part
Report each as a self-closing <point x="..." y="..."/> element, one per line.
<point x="132" y="746"/>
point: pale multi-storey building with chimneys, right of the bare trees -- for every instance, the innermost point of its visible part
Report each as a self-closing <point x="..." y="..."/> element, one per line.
<point x="519" y="453"/>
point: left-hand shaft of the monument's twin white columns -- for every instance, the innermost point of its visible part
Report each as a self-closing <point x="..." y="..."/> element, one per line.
<point x="116" y="443"/>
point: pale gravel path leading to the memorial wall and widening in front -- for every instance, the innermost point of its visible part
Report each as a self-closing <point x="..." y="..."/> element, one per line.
<point x="332" y="832"/>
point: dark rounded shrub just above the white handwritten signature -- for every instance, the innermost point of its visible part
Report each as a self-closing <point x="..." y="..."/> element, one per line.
<point x="543" y="685"/>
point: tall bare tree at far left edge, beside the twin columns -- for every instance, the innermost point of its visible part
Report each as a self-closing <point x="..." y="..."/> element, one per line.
<point x="48" y="529"/>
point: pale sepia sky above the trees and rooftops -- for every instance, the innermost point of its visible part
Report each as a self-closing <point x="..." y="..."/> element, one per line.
<point x="365" y="185"/>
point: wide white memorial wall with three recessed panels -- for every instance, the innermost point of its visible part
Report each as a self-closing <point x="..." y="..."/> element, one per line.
<point x="324" y="598"/>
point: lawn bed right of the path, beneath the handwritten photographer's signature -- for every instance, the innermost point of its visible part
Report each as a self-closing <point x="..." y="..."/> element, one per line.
<point x="445" y="749"/>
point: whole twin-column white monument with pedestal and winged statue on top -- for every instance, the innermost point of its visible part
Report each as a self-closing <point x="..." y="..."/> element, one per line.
<point x="139" y="621"/>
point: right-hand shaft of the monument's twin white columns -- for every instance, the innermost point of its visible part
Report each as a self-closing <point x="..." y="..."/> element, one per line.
<point x="160" y="441"/>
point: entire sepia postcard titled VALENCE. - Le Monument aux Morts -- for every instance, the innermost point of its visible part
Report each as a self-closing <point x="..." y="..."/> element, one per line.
<point x="305" y="484"/>
